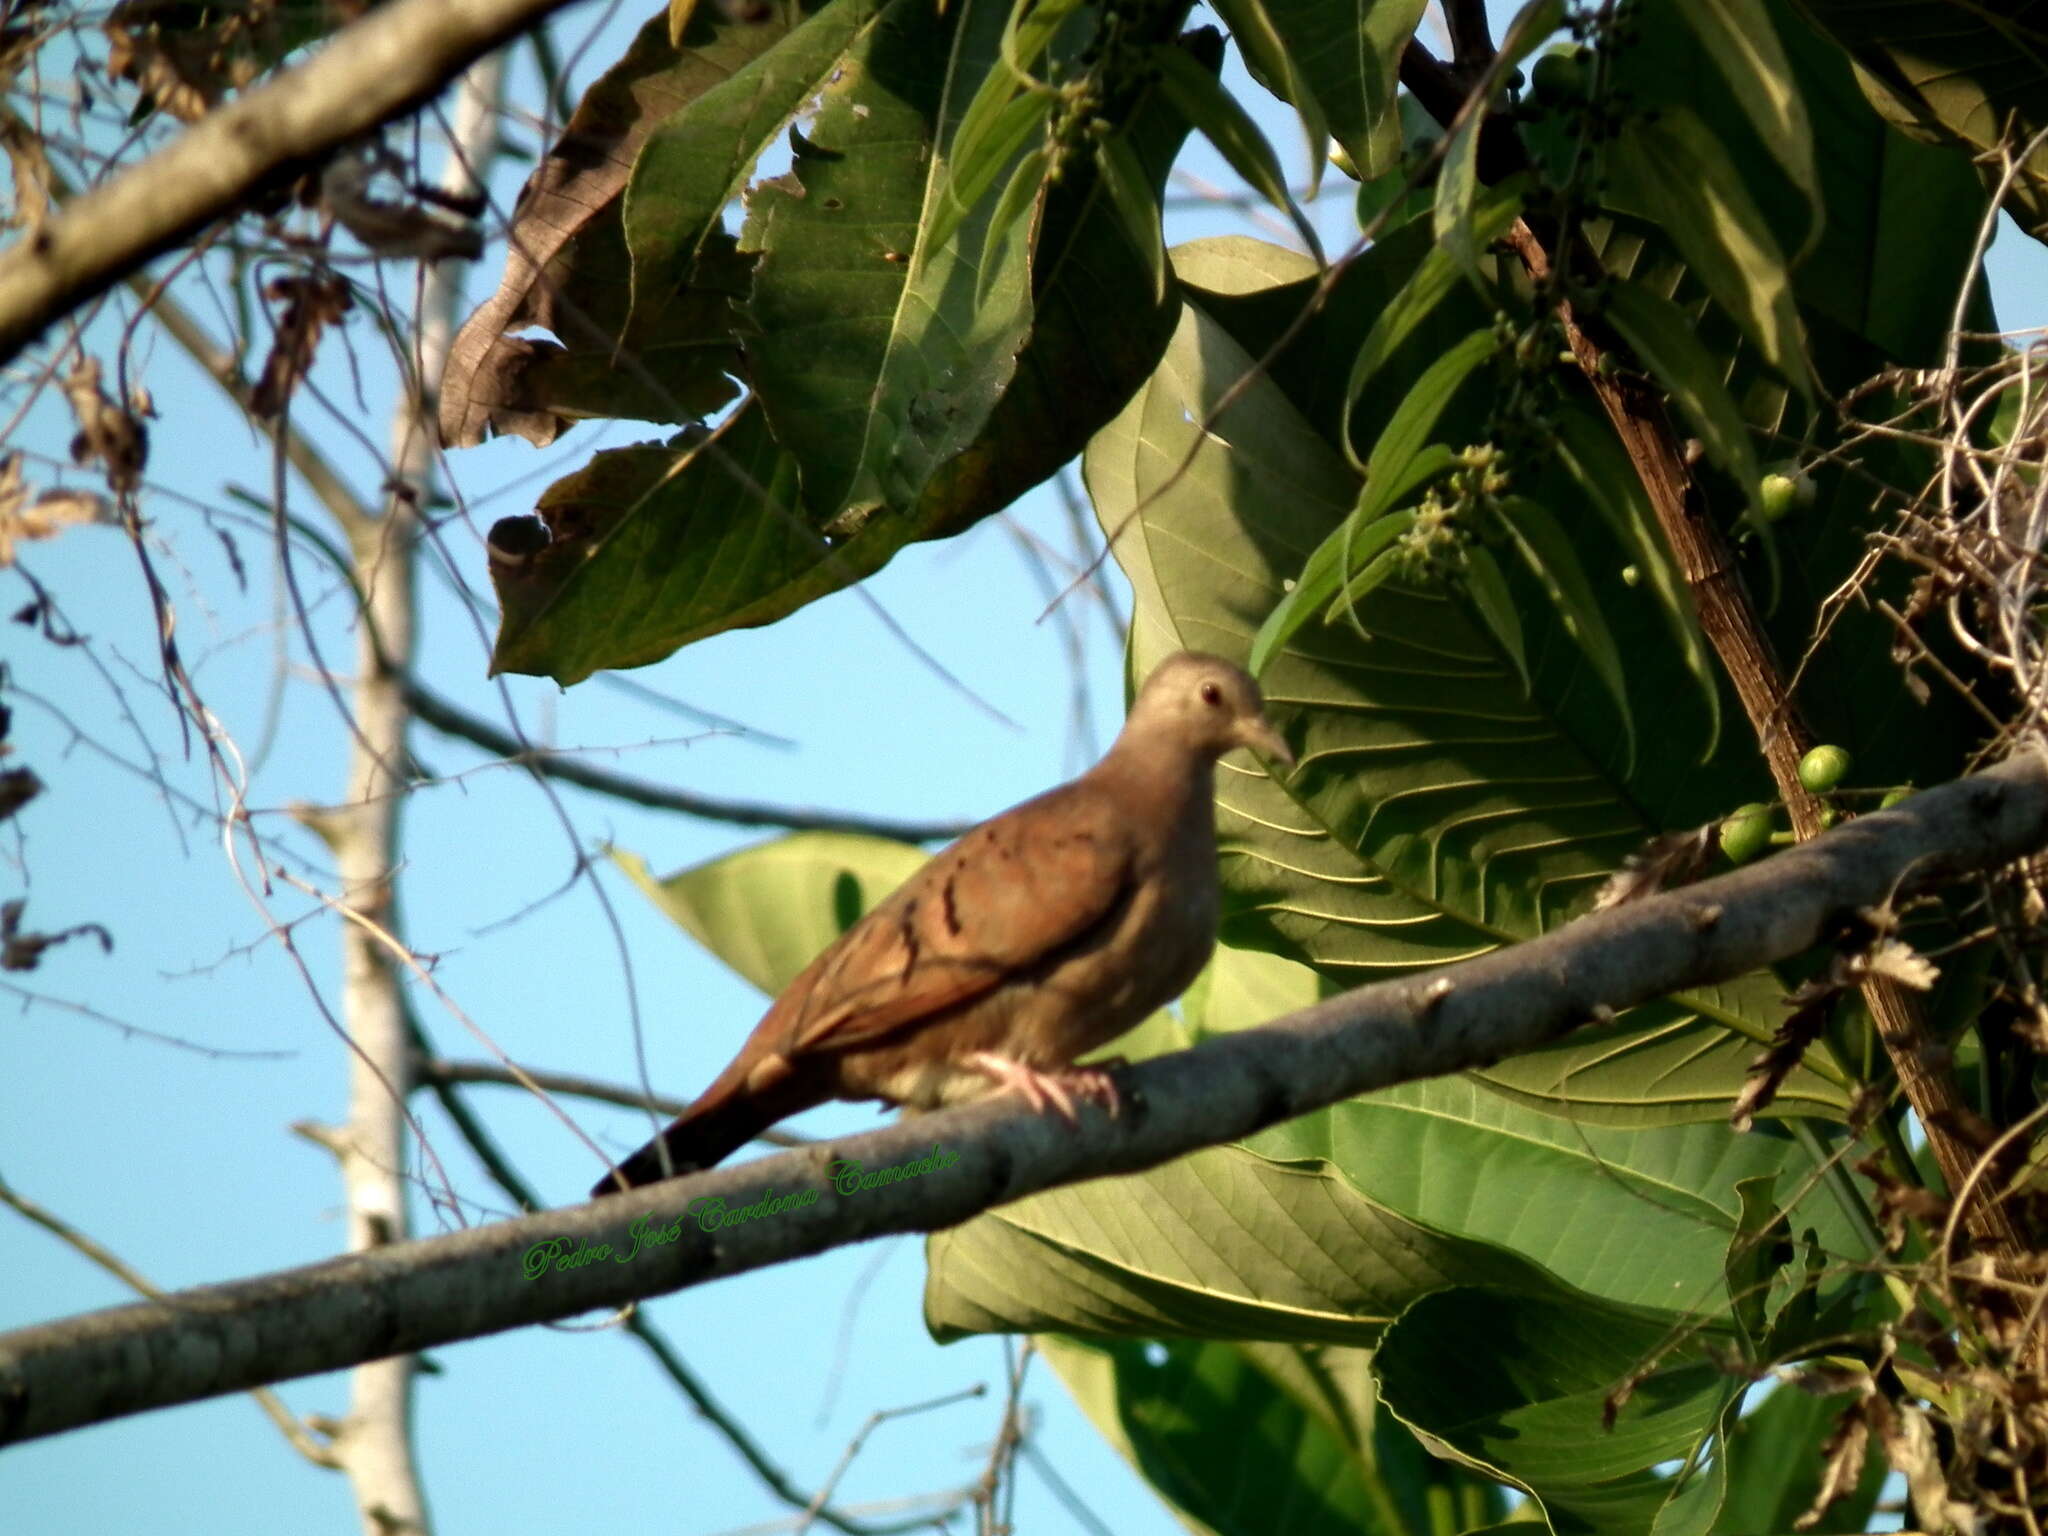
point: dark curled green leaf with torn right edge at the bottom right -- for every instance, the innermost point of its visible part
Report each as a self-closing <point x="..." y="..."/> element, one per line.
<point x="1531" y="1398"/>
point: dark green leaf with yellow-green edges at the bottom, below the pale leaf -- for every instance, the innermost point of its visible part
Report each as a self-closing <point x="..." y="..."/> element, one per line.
<point x="1256" y="1439"/>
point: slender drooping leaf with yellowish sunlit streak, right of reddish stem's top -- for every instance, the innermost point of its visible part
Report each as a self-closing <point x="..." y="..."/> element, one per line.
<point x="1674" y="167"/>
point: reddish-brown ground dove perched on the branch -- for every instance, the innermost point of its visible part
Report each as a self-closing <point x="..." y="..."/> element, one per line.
<point x="1035" y="939"/>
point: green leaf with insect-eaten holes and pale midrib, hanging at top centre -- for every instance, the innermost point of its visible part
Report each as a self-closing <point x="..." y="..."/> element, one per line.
<point x="863" y="341"/>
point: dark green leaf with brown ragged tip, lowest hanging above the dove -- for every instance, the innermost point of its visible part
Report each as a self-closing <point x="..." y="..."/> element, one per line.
<point x="658" y="546"/>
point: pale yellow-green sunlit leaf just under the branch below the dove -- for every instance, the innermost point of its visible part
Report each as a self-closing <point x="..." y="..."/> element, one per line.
<point x="1218" y="1244"/>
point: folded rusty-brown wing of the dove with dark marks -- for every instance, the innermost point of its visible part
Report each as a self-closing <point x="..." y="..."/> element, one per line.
<point x="1002" y="900"/>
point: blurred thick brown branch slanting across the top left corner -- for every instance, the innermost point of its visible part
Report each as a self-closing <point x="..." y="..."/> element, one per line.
<point x="372" y="73"/>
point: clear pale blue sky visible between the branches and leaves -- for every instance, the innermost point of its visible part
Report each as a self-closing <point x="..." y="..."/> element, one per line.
<point x="187" y="1164"/>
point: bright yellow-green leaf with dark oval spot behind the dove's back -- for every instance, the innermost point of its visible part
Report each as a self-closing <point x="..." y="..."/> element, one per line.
<point x="773" y="908"/>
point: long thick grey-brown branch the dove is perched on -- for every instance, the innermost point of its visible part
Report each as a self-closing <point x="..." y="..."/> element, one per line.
<point x="419" y="1295"/>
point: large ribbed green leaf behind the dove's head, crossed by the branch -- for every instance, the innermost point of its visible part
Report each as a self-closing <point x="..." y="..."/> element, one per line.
<point x="1439" y="810"/>
